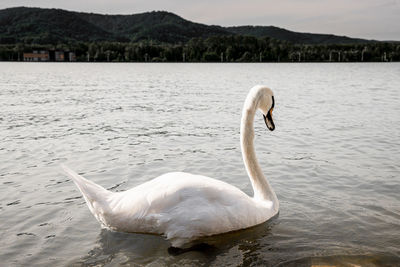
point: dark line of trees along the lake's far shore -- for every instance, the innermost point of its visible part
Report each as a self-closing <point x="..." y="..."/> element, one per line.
<point x="213" y="49"/>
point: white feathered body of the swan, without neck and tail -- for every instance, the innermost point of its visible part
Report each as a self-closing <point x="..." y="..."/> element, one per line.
<point x="183" y="206"/>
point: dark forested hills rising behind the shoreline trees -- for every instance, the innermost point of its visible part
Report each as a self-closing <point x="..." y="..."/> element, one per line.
<point x="47" y="26"/>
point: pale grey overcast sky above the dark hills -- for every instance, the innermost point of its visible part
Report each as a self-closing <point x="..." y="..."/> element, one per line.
<point x="371" y="19"/>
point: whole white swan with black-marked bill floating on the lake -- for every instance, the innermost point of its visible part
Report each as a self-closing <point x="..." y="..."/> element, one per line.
<point x="184" y="207"/>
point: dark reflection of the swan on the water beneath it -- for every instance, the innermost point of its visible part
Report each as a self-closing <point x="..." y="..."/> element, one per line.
<point x="132" y="248"/>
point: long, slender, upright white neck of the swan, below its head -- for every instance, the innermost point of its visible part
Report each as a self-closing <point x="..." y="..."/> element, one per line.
<point x="261" y="187"/>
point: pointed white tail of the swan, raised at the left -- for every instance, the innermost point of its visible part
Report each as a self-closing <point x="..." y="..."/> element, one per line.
<point x="96" y="197"/>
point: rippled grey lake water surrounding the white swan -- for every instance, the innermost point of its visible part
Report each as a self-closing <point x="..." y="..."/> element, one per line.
<point x="333" y="160"/>
